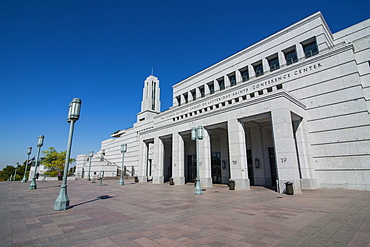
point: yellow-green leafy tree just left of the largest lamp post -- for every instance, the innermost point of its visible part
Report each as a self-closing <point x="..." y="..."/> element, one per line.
<point x="54" y="161"/>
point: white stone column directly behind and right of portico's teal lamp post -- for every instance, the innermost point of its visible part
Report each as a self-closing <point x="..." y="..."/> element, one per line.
<point x="205" y="171"/>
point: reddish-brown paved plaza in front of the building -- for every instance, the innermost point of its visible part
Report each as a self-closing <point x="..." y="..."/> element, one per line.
<point x="144" y="214"/>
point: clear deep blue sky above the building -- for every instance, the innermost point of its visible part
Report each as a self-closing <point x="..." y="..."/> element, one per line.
<point x="102" y="51"/>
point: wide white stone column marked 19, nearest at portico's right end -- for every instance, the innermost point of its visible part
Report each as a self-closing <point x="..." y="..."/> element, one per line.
<point x="285" y="150"/>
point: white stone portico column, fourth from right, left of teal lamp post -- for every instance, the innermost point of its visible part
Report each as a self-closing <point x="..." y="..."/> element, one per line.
<point x="178" y="153"/>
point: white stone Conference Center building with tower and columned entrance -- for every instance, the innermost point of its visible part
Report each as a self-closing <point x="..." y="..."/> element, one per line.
<point x="292" y="107"/>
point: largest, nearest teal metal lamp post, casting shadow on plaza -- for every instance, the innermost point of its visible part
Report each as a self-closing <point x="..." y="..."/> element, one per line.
<point x="62" y="201"/>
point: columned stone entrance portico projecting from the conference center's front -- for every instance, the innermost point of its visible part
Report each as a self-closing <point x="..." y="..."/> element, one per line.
<point x="257" y="149"/>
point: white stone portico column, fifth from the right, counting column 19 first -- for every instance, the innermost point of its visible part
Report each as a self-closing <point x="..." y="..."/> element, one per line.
<point x="158" y="162"/>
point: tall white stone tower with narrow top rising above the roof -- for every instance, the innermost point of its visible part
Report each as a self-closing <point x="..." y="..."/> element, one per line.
<point x="150" y="105"/>
